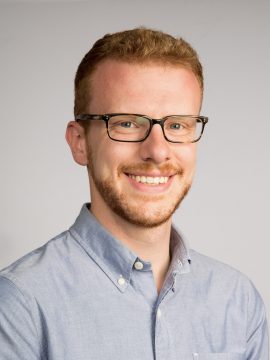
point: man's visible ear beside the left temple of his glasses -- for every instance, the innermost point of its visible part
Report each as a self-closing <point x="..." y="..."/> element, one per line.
<point x="77" y="142"/>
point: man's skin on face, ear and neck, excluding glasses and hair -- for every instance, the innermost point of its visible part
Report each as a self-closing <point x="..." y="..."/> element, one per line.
<point x="137" y="214"/>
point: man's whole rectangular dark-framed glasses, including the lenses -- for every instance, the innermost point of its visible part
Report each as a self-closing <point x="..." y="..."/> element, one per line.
<point x="135" y="127"/>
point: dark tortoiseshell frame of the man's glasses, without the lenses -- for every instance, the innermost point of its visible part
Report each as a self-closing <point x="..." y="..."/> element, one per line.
<point x="106" y="118"/>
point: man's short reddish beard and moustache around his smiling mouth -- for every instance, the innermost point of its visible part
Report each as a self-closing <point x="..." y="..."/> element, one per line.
<point x="143" y="210"/>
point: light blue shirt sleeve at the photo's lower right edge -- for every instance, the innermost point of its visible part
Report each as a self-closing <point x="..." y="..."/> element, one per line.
<point x="257" y="331"/>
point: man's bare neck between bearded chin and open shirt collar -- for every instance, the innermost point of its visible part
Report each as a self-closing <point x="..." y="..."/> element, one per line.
<point x="150" y="244"/>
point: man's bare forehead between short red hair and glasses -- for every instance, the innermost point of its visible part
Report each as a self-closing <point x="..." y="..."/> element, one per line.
<point x="133" y="85"/>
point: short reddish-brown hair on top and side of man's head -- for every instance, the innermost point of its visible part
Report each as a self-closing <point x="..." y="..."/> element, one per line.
<point x="140" y="46"/>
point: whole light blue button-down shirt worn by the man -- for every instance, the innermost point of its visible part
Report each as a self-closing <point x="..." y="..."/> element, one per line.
<point x="85" y="296"/>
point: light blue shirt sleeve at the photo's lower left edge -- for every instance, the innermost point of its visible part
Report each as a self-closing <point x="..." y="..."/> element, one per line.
<point x="18" y="335"/>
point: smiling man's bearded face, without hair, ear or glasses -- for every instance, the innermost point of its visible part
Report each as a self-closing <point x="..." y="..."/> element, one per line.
<point x="144" y="182"/>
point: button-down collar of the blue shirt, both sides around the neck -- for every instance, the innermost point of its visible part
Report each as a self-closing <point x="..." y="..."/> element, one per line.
<point x="115" y="259"/>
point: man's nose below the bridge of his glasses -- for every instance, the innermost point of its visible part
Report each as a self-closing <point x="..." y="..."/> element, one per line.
<point x="155" y="147"/>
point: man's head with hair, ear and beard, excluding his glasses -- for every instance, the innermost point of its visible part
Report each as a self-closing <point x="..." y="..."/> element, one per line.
<point x="137" y="72"/>
